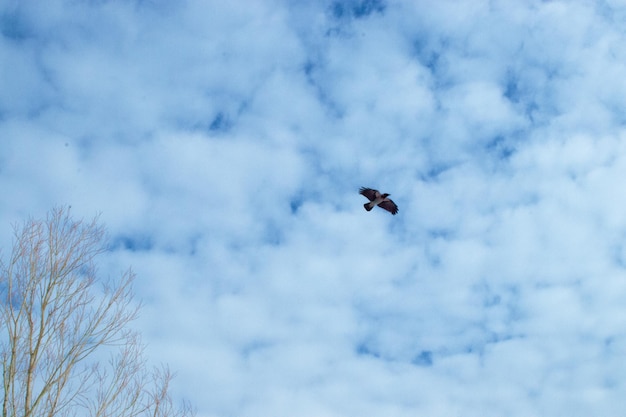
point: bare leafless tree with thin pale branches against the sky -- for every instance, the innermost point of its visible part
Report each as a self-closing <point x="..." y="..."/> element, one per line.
<point x="58" y="326"/>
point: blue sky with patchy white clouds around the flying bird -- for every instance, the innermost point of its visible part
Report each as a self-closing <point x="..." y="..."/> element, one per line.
<point x="224" y="144"/>
